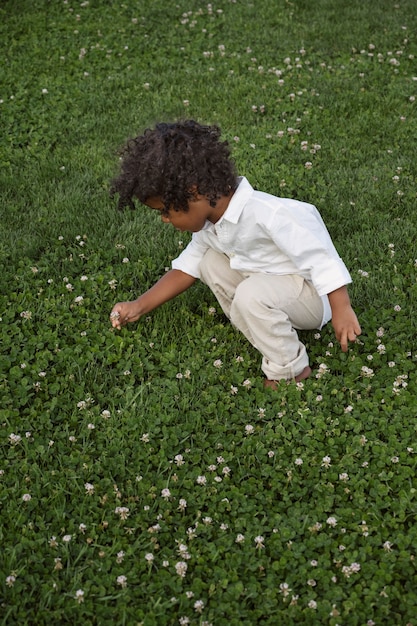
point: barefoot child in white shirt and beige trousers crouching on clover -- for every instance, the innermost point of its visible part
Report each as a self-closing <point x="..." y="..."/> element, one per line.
<point x="269" y="261"/>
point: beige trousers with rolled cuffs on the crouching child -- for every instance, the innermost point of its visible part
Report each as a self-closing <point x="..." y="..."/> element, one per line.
<point x="267" y="309"/>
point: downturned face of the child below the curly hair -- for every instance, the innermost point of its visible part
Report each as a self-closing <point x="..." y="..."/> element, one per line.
<point x="193" y="220"/>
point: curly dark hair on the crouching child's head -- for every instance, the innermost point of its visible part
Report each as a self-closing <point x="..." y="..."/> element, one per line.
<point x="174" y="161"/>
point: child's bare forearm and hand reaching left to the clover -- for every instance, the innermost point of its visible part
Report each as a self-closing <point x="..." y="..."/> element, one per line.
<point x="170" y="285"/>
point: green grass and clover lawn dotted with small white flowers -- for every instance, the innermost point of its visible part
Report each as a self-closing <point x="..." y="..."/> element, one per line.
<point x="93" y="420"/>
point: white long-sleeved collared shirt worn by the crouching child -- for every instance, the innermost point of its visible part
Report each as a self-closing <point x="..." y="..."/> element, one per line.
<point x="262" y="233"/>
